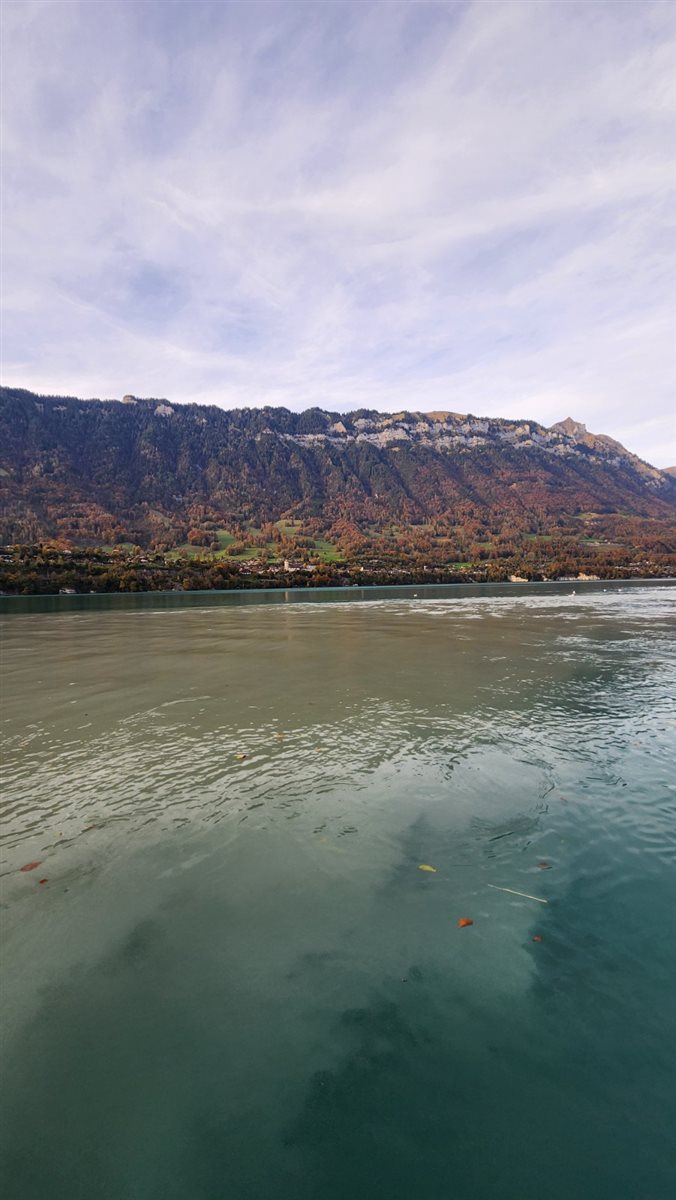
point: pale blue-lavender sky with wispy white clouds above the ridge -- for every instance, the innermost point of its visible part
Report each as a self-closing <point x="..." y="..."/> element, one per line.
<point x="394" y="206"/>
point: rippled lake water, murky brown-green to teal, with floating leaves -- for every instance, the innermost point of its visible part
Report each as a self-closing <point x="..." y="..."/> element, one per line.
<point x="237" y="982"/>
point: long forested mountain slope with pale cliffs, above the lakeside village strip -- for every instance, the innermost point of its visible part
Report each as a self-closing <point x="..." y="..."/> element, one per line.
<point x="148" y="470"/>
